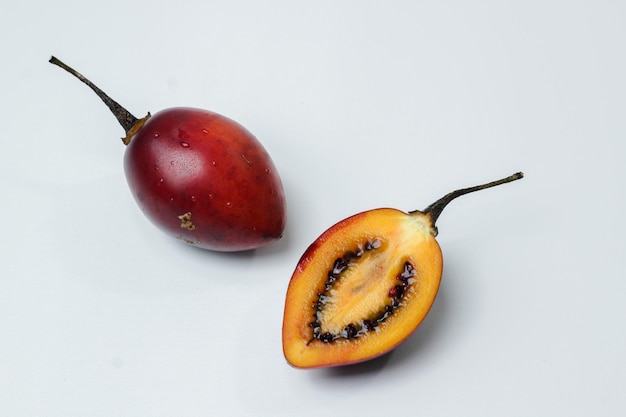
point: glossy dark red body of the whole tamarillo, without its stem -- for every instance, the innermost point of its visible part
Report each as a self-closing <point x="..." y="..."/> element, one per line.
<point x="206" y="180"/>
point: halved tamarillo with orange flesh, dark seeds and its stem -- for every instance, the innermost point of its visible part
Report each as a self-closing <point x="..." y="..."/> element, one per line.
<point x="365" y="285"/>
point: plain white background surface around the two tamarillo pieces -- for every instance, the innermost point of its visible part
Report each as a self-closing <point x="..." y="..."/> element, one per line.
<point x="362" y="104"/>
